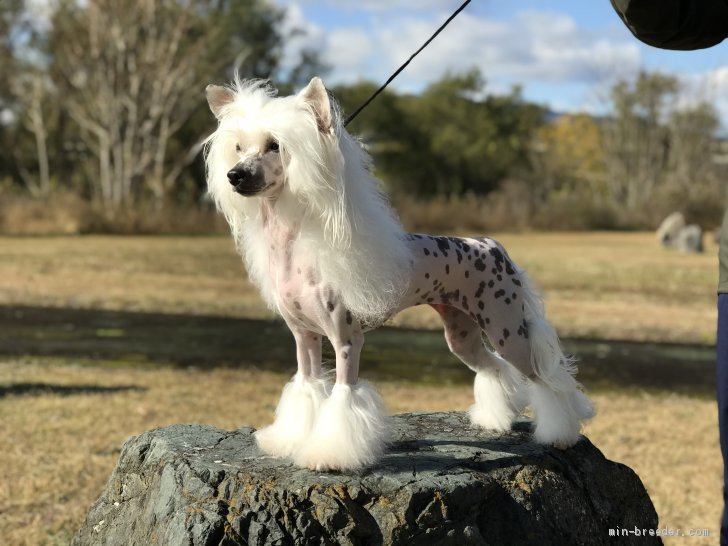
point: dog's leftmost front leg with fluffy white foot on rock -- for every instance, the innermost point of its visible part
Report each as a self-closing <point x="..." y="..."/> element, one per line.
<point x="300" y="401"/>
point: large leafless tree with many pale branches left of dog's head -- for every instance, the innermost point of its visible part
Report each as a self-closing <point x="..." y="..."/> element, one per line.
<point x="132" y="73"/>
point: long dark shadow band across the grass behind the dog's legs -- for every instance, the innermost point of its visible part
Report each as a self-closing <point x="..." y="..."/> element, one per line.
<point x="152" y="339"/>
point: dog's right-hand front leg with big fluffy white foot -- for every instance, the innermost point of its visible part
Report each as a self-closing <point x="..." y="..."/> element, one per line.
<point x="351" y="430"/>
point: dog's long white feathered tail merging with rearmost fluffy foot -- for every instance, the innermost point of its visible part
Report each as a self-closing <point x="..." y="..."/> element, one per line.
<point x="556" y="395"/>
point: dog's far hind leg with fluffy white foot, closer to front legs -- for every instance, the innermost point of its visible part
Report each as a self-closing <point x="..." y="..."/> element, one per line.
<point x="498" y="388"/>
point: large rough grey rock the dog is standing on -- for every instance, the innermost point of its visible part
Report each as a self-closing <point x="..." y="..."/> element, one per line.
<point x="441" y="482"/>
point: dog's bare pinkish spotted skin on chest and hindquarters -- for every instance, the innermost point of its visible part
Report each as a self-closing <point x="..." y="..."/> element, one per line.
<point x="471" y="283"/>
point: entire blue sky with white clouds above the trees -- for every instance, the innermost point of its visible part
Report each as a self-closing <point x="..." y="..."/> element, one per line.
<point x="565" y="53"/>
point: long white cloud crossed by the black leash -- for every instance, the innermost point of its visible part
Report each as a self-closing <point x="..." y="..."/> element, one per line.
<point x="532" y="46"/>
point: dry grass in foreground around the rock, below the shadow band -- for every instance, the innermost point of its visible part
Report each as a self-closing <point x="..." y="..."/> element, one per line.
<point x="59" y="446"/>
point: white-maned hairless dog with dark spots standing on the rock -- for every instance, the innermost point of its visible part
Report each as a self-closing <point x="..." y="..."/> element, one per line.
<point x="321" y="242"/>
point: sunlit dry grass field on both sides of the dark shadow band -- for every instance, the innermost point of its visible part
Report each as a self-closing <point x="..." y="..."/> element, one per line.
<point x="62" y="420"/>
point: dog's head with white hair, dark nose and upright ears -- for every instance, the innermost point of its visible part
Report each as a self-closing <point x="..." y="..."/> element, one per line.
<point x="261" y="138"/>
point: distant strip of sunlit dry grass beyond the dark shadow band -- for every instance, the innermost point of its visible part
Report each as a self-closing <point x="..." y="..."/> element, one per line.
<point x="596" y="285"/>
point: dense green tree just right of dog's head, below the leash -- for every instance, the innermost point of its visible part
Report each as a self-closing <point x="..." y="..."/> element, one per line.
<point x="450" y="140"/>
